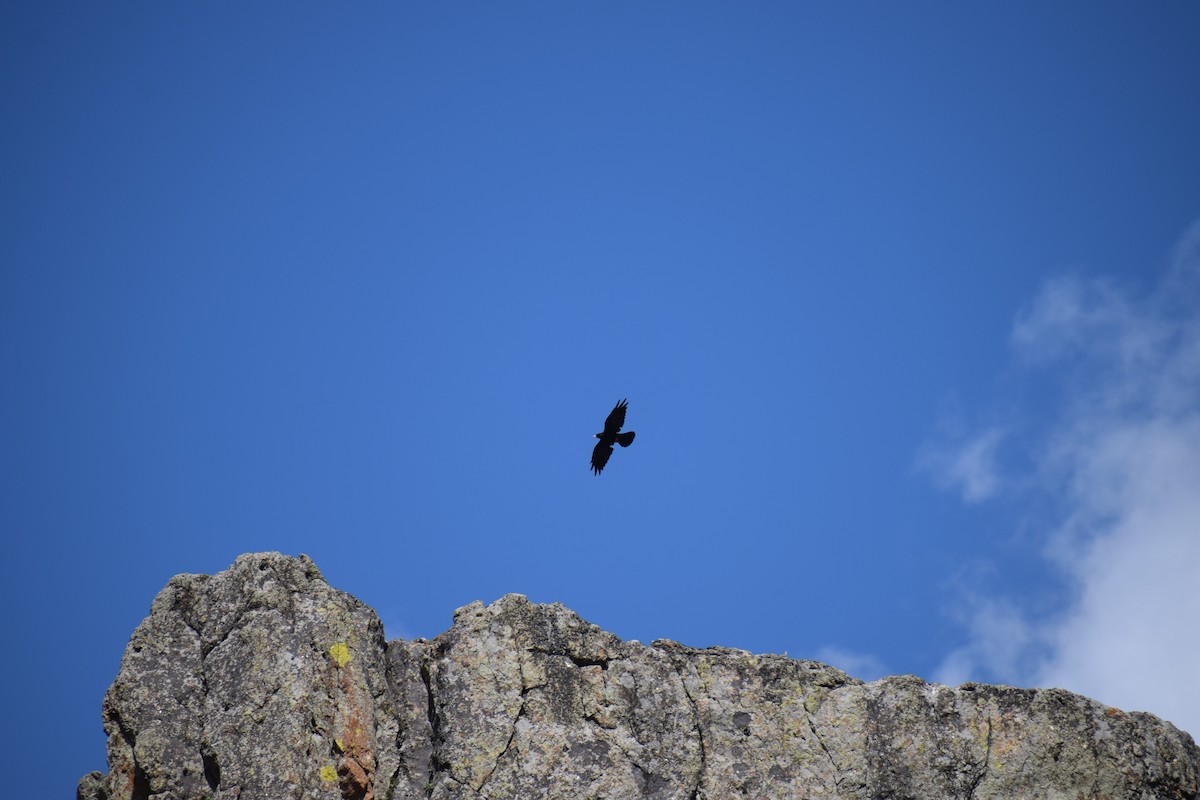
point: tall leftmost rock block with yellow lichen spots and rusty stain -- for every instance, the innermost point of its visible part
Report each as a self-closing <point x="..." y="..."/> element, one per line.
<point x="261" y="682"/>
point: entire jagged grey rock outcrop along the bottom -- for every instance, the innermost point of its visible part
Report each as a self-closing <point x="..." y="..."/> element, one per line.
<point x="265" y="683"/>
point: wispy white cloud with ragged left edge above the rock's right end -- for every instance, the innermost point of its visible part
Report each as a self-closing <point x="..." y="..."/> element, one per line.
<point x="1120" y="461"/>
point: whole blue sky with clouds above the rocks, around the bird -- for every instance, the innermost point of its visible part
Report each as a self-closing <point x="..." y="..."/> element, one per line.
<point x="903" y="299"/>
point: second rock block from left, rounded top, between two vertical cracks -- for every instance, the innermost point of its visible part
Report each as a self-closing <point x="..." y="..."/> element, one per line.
<point x="533" y="702"/>
